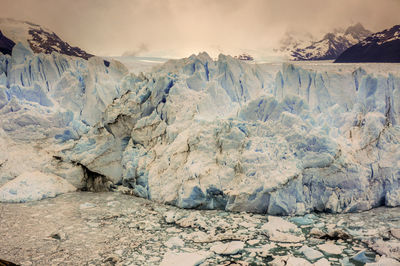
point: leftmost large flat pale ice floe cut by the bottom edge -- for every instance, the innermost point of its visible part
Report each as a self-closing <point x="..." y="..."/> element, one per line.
<point x="185" y="258"/>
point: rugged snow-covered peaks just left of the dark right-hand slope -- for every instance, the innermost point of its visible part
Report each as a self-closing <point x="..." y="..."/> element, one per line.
<point x="330" y="46"/>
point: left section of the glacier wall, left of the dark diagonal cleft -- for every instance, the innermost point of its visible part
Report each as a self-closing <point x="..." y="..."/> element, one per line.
<point x="47" y="100"/>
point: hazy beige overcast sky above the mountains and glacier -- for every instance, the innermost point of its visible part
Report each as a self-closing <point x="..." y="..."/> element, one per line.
<point x="183" y="27"/>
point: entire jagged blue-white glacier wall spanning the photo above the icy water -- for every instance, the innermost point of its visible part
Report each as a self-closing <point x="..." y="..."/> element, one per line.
<point x="280" y="139"/>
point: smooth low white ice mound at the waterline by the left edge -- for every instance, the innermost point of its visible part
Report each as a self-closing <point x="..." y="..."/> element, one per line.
<point x="34" y="186"/>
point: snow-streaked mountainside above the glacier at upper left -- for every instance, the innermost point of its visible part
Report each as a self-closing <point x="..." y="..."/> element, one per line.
<point x="39" y="39"/>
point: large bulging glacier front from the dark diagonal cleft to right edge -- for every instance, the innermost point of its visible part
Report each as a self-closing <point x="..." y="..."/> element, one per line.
<point x="198" y="133"/>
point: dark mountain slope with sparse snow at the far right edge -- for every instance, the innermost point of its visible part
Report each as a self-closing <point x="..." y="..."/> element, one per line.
<point x="382" y="46"/>
